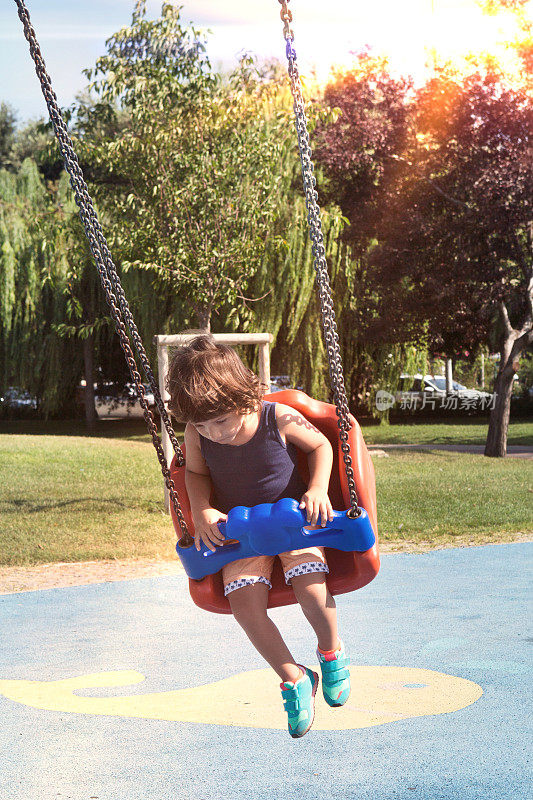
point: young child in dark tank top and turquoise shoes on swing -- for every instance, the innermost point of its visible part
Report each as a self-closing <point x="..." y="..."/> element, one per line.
<point x="241" y="450"/>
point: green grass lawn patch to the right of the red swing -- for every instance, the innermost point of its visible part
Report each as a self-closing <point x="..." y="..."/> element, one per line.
<point x="437" y="497"/>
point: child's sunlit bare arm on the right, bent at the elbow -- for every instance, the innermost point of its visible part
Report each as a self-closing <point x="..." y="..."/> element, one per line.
<point x="293" y="427"/>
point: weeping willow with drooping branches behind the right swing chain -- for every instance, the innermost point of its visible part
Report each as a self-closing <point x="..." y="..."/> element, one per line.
<point x="289" y="309"/>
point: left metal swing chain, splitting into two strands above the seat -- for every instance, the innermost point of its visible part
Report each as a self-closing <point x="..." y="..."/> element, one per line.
<point x="108" y="274"/>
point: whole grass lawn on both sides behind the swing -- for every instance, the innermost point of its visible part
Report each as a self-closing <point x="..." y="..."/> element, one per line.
<point x="67" y="497"/>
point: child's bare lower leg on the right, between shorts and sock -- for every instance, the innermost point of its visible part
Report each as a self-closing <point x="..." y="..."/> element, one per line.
<point x="318" y="606"/>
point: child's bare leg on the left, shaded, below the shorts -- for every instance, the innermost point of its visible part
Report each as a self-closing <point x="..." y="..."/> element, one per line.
<point x="249" y="607"/>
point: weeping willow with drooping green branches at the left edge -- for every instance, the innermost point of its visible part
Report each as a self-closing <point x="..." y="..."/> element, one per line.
<point x="46" y="290"/>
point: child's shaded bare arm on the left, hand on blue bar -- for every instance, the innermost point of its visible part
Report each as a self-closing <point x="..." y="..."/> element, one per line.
<point x="200" y="489"/>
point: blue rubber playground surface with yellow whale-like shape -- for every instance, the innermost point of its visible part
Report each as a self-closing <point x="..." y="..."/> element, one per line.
<point x="127" y="691"/>
